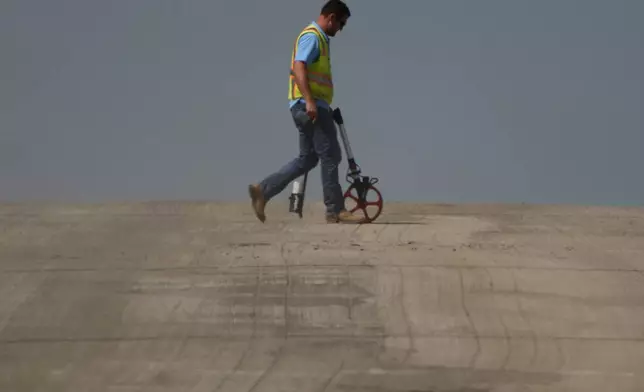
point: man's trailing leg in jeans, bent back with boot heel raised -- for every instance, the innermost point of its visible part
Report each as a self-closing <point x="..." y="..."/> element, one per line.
<point x="275" y="183"/>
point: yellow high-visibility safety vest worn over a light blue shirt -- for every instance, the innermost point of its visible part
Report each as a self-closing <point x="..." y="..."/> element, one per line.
<point x="319" y="72"/>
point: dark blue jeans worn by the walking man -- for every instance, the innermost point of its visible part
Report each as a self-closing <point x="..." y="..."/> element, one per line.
<point x="318" y="143"/>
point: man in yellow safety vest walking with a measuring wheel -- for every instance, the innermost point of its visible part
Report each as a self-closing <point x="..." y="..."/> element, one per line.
<point x="310" y="95"/>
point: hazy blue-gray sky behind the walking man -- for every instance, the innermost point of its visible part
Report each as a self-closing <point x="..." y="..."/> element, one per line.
<point x="454" y="101"/>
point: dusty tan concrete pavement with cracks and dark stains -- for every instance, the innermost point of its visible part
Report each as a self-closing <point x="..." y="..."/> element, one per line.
<point x="201" y="297"/>
